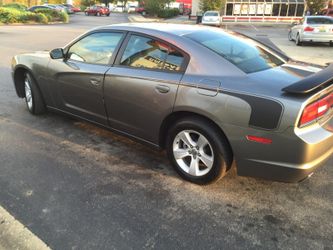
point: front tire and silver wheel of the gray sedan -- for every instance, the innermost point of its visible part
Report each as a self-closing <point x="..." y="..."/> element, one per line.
<point x="33" y="97"/>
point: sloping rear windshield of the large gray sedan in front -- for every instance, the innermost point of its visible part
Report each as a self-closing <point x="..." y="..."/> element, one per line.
<point x="246" y="56"/>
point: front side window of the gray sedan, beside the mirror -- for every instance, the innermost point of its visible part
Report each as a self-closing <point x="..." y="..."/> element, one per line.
<point x="96" y="48"/>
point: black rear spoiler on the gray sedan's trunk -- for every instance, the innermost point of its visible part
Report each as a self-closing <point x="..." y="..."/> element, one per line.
<point x="312" y="82"/>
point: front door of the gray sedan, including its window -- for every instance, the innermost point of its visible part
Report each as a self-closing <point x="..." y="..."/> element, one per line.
<point x="79" y="78"/>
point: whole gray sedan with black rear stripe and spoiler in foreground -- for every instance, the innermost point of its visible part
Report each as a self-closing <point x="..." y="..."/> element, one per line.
<point x="208" y="96"/>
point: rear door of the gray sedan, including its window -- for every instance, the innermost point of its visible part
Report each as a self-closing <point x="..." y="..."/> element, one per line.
<point x="140" y="89"/>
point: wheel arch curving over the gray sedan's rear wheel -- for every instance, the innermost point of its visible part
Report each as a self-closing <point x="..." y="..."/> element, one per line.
<point x="175" y="116"/>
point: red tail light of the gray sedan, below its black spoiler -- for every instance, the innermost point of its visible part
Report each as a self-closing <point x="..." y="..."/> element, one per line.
<point x="316" y="110"/>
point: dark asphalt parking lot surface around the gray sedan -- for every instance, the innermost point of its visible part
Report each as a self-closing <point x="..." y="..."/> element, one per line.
<point x="78" y="186"/>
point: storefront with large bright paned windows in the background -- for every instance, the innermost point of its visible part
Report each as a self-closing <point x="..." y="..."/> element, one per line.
<point x="260" y="10"/>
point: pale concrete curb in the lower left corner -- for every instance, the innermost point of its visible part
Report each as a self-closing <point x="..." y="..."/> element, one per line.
<point x="14" y="235"/>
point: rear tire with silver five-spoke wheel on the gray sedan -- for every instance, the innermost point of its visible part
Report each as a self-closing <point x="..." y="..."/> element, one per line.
<point x="204" y="156"/>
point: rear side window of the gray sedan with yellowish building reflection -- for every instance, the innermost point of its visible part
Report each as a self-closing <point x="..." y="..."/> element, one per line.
<point x="143" y="52"/>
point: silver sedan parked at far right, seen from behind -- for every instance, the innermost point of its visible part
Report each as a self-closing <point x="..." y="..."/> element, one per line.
<point x="312" y="29"/>
